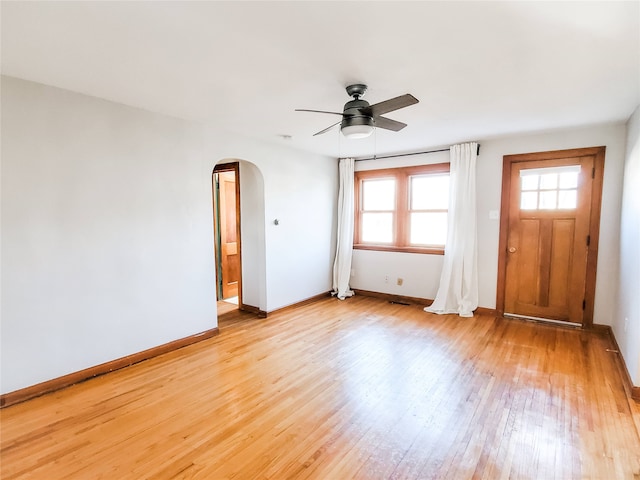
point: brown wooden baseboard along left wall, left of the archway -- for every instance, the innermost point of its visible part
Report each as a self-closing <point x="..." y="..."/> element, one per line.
<point x="54" y="384"/>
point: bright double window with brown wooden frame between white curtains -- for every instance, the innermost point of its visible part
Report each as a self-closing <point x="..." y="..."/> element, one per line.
<point x="402" y="209"/>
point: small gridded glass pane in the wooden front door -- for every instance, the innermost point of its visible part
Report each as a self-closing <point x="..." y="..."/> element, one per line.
<point x="553" y="188"/>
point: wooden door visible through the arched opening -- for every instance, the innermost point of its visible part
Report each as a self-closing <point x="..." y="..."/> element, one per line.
<point x="227" y="232"/>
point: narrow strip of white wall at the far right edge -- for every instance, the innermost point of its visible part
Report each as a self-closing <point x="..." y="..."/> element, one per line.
<point x="628" y="301"/>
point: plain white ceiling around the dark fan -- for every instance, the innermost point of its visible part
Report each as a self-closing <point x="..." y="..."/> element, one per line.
<point x="479" y="69"/>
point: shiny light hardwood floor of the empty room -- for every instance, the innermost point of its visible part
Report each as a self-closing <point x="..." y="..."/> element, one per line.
<point x="334" y="390"/>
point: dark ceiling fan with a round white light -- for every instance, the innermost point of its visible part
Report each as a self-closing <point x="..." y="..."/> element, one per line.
<point x="359" y="118"/>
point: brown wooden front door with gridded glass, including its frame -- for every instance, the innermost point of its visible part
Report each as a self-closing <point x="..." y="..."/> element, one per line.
<point x="550" y="240"/>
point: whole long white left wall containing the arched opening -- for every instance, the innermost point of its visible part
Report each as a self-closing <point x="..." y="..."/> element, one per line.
<point x="107" y="229"/>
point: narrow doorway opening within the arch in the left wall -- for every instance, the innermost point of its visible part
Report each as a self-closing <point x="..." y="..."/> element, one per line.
<point x="227" y="240"/>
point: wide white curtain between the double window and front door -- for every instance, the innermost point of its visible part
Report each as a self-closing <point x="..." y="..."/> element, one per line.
<point x="458" y="289"/>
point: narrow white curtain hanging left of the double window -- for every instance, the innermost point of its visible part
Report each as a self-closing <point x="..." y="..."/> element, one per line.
<point x="344" y="244"/>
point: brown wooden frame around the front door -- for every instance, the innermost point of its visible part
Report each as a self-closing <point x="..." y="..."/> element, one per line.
<point x="594" y="221"/>
